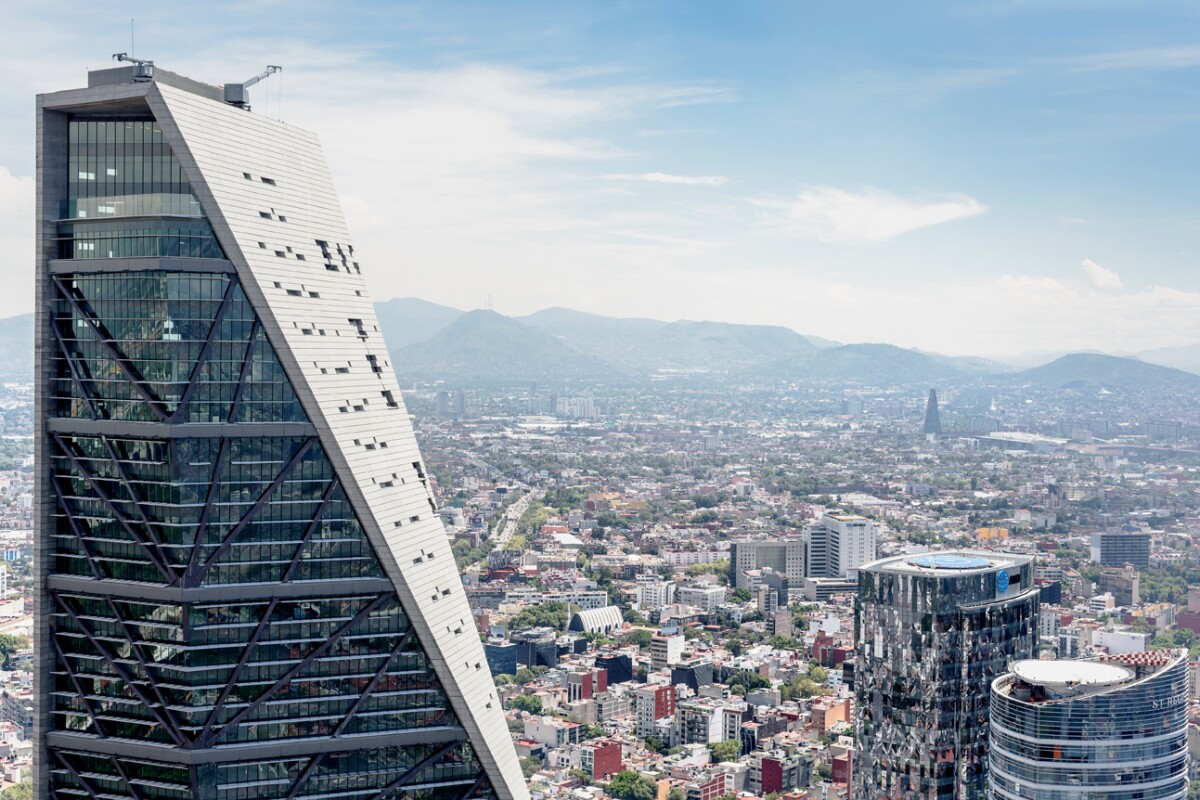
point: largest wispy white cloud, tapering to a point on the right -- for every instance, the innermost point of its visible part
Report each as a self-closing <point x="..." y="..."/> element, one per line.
<point x="837" y="216"/>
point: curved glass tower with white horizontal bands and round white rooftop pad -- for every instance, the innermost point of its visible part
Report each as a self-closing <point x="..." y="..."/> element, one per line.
<point x="1107" y="729"/>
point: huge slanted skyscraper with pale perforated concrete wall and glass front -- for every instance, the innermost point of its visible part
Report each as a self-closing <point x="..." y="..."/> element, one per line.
<point x="244" y="586"/>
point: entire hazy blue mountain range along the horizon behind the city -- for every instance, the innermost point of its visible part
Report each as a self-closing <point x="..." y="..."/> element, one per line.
<point x="433" y="342"/>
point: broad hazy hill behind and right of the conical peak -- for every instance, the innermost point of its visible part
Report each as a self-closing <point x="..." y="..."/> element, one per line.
<point x="643" y="347"/>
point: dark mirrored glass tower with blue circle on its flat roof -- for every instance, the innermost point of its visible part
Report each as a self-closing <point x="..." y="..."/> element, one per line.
<point x="932" y="633"/>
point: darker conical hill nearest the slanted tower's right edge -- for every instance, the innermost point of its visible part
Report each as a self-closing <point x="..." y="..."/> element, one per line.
<point x="485" y="347"/>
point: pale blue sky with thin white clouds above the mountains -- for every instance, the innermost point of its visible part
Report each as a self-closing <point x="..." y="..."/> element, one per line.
<point x="985" y="178"/>
